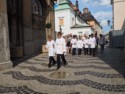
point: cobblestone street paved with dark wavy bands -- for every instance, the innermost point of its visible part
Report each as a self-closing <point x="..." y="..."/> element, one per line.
<point x="103" y="74"/>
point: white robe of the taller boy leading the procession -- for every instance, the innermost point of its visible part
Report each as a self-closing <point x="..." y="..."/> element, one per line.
<point x="60" y="46"/>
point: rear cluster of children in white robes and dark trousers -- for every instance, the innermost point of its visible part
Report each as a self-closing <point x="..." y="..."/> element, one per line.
<point x="87" y="44"/>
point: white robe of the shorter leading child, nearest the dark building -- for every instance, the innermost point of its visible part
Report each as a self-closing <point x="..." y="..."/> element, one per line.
<point x="50" y="46"/>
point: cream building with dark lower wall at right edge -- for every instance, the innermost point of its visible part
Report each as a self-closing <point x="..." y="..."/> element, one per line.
<point x="117" y="35"/>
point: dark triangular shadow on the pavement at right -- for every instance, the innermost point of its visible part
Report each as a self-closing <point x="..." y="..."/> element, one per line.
<point x="115" y="58"/>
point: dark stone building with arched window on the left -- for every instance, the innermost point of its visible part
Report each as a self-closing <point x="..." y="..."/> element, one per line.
<point x="23" y="28"/>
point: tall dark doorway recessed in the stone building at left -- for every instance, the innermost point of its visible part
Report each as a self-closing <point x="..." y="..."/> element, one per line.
<point x="15" y="23"/>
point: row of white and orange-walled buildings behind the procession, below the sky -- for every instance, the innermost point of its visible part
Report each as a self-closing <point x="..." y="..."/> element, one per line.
<point x="70" y="20"/>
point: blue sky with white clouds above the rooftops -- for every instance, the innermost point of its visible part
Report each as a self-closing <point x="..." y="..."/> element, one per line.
<point x="100" y="9"/>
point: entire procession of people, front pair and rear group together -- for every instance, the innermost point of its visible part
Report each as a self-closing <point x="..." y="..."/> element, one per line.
<point x="61" y="46"/>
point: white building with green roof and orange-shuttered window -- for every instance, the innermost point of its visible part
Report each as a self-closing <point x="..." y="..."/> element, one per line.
<point x="69" y="19"/>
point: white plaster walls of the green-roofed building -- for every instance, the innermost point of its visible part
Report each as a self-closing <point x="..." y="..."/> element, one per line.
<point x="68" y="15"/>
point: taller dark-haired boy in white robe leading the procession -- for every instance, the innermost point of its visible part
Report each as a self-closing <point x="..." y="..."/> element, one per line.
<point x="60" y="50"/>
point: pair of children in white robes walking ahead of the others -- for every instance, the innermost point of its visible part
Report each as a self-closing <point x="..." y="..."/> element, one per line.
<point x="59" y="48"/>
